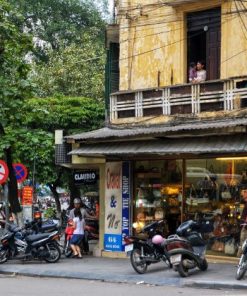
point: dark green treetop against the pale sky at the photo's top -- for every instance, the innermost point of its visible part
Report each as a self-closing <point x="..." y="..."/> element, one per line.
<point x="59" y="23"/>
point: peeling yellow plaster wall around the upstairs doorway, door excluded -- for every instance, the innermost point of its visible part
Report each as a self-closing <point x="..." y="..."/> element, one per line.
<point x="153" y="45"/>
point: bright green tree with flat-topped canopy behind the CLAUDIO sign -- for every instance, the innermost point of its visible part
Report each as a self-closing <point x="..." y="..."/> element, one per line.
<point x="35" y="141"/>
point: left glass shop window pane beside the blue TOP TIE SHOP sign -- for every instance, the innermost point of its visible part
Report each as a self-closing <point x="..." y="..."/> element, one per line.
<point x="158" y="193"/>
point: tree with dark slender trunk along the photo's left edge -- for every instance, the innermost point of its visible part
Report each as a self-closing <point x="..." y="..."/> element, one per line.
<point x="14" y="86"/>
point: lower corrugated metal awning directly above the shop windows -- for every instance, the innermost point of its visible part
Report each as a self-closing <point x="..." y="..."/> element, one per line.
<point x="203" y="145"/>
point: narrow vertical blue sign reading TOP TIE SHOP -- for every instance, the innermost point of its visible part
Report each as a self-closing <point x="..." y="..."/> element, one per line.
<point x="125" y="201"/>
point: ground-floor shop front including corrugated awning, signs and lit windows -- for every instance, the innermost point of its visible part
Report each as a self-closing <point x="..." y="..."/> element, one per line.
<point x="172" y="178"/>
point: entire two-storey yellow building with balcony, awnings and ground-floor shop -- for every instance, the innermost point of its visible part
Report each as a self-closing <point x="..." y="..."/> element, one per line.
<point x="179" y="147"/>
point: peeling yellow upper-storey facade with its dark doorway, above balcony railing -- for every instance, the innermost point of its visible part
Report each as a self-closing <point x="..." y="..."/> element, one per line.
<point x="159" y="38"/>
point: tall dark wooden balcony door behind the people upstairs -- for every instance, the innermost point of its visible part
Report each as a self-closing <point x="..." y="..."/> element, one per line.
<point x="204" y="40"/>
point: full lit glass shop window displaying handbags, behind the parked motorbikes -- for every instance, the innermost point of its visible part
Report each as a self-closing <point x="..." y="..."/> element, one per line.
<point x="177" y="190"/>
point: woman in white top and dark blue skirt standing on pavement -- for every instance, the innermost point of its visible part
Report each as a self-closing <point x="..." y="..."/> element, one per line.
<point x="78" y="224"/>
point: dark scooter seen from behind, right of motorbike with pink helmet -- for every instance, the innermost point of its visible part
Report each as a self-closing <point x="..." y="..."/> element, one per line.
<point x="187" y="247"/>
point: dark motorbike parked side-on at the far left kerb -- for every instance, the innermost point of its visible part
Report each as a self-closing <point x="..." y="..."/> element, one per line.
<point x="21" y="244"/>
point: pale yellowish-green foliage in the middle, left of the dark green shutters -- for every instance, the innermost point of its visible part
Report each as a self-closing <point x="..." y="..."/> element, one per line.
<point x="76" y="70"/>
